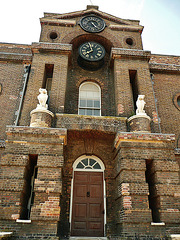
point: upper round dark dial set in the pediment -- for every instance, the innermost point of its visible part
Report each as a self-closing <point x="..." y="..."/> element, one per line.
<point x="92" y="24"/>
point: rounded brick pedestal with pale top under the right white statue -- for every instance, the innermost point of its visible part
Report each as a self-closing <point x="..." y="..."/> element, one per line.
<point x="140" y="123"/>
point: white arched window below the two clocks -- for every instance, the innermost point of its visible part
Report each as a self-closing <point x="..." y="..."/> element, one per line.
<point x="89" y="99"/>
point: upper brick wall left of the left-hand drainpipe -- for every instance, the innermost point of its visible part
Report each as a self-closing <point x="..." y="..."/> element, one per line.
<point x="12" y="64"/>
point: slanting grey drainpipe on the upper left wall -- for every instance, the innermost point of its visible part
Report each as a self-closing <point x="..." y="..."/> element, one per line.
<point x="26" y="76"/>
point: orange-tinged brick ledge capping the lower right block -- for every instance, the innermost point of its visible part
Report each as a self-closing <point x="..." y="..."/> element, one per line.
<point x="143" y="138"/>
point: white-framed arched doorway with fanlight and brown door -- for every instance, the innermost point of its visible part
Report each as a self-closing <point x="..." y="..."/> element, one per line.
<point x="87" y="208"/>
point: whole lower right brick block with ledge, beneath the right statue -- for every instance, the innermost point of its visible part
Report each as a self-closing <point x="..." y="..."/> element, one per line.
<point x="134" y="211"/>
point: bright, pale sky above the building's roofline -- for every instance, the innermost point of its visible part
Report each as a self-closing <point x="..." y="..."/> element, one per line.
<point x="19" y="19"/>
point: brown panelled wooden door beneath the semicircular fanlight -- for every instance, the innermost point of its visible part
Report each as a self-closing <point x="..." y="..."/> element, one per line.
<point x="88" y="205"/>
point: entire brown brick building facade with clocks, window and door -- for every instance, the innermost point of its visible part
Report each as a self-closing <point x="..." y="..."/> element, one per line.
<point x="90" y="165"/>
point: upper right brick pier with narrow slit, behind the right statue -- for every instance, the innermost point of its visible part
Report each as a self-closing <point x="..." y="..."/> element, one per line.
<point x="125" y="61"/>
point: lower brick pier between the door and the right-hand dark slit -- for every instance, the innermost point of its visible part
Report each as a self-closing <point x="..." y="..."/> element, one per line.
<point x="132" y="206"/>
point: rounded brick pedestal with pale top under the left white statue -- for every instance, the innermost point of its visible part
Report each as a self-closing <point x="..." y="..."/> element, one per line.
<point x="41" y="118"/>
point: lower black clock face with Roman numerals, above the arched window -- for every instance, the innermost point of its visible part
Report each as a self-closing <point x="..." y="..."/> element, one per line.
<point x="91" y="51"/>
